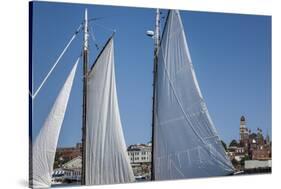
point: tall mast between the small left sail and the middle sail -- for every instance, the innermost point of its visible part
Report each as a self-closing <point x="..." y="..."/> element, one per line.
<point x="85" y="73"/>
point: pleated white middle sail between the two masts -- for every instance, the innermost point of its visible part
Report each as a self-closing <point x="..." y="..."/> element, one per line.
<point x="107" y="161"/>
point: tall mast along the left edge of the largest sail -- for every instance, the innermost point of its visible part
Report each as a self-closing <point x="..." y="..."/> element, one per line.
<point x="156" y="47"/>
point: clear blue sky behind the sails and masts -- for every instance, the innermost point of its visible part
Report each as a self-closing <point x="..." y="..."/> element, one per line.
<point x="231" y="54"/>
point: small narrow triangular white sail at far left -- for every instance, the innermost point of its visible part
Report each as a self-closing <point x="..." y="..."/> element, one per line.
<point x="44" y="147"/>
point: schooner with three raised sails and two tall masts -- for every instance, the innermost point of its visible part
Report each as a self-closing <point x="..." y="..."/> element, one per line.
<point x="185" y="143"/>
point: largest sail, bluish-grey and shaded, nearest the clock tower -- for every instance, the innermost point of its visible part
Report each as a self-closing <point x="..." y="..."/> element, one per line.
<point x="186" y="142"/>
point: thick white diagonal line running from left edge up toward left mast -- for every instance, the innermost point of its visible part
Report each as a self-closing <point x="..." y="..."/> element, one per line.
<point x="57" y="61"/>
